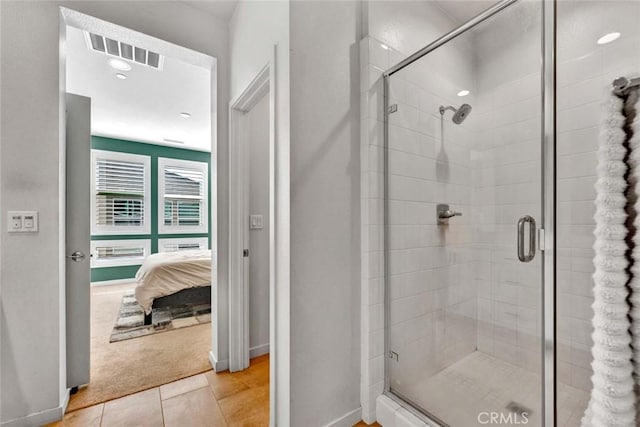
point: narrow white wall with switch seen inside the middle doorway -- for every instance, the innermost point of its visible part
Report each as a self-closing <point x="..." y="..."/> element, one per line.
<point x="259" y="238"/>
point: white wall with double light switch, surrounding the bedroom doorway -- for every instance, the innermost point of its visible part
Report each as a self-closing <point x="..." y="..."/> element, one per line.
<point x="31" y="315"/>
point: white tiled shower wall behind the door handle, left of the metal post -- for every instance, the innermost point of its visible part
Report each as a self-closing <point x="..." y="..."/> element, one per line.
<point x="506" y="163"/>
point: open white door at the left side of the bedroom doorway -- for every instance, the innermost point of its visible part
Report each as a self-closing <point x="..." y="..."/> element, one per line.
<point x="78" y="236"/>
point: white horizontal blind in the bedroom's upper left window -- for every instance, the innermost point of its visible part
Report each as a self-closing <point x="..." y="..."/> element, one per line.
<point x="120" y="190"/>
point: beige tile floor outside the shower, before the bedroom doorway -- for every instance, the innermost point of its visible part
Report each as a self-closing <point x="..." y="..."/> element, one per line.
<point x="208" y="399"/>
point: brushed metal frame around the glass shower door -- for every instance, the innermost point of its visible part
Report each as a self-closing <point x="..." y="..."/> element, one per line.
<point x="546" y="239"/>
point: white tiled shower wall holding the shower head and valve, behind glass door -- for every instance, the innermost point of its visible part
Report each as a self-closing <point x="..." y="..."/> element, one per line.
<point x="433" y="298"/>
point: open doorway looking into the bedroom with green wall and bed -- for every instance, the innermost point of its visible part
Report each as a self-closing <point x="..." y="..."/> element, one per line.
<point x="142" y="316"/>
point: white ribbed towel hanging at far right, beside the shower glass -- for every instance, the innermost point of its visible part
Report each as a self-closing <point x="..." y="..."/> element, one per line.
<point x="612" y="402"/>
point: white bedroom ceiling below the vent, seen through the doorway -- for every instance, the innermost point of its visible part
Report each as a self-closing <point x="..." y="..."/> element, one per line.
<point x="147" y="105"/>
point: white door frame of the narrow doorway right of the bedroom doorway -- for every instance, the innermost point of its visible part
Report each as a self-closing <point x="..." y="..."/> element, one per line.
<point x="262" y="84"/>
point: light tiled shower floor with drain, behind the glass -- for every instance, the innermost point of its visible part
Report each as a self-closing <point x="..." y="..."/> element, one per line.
<point x="481" y="384"/>
